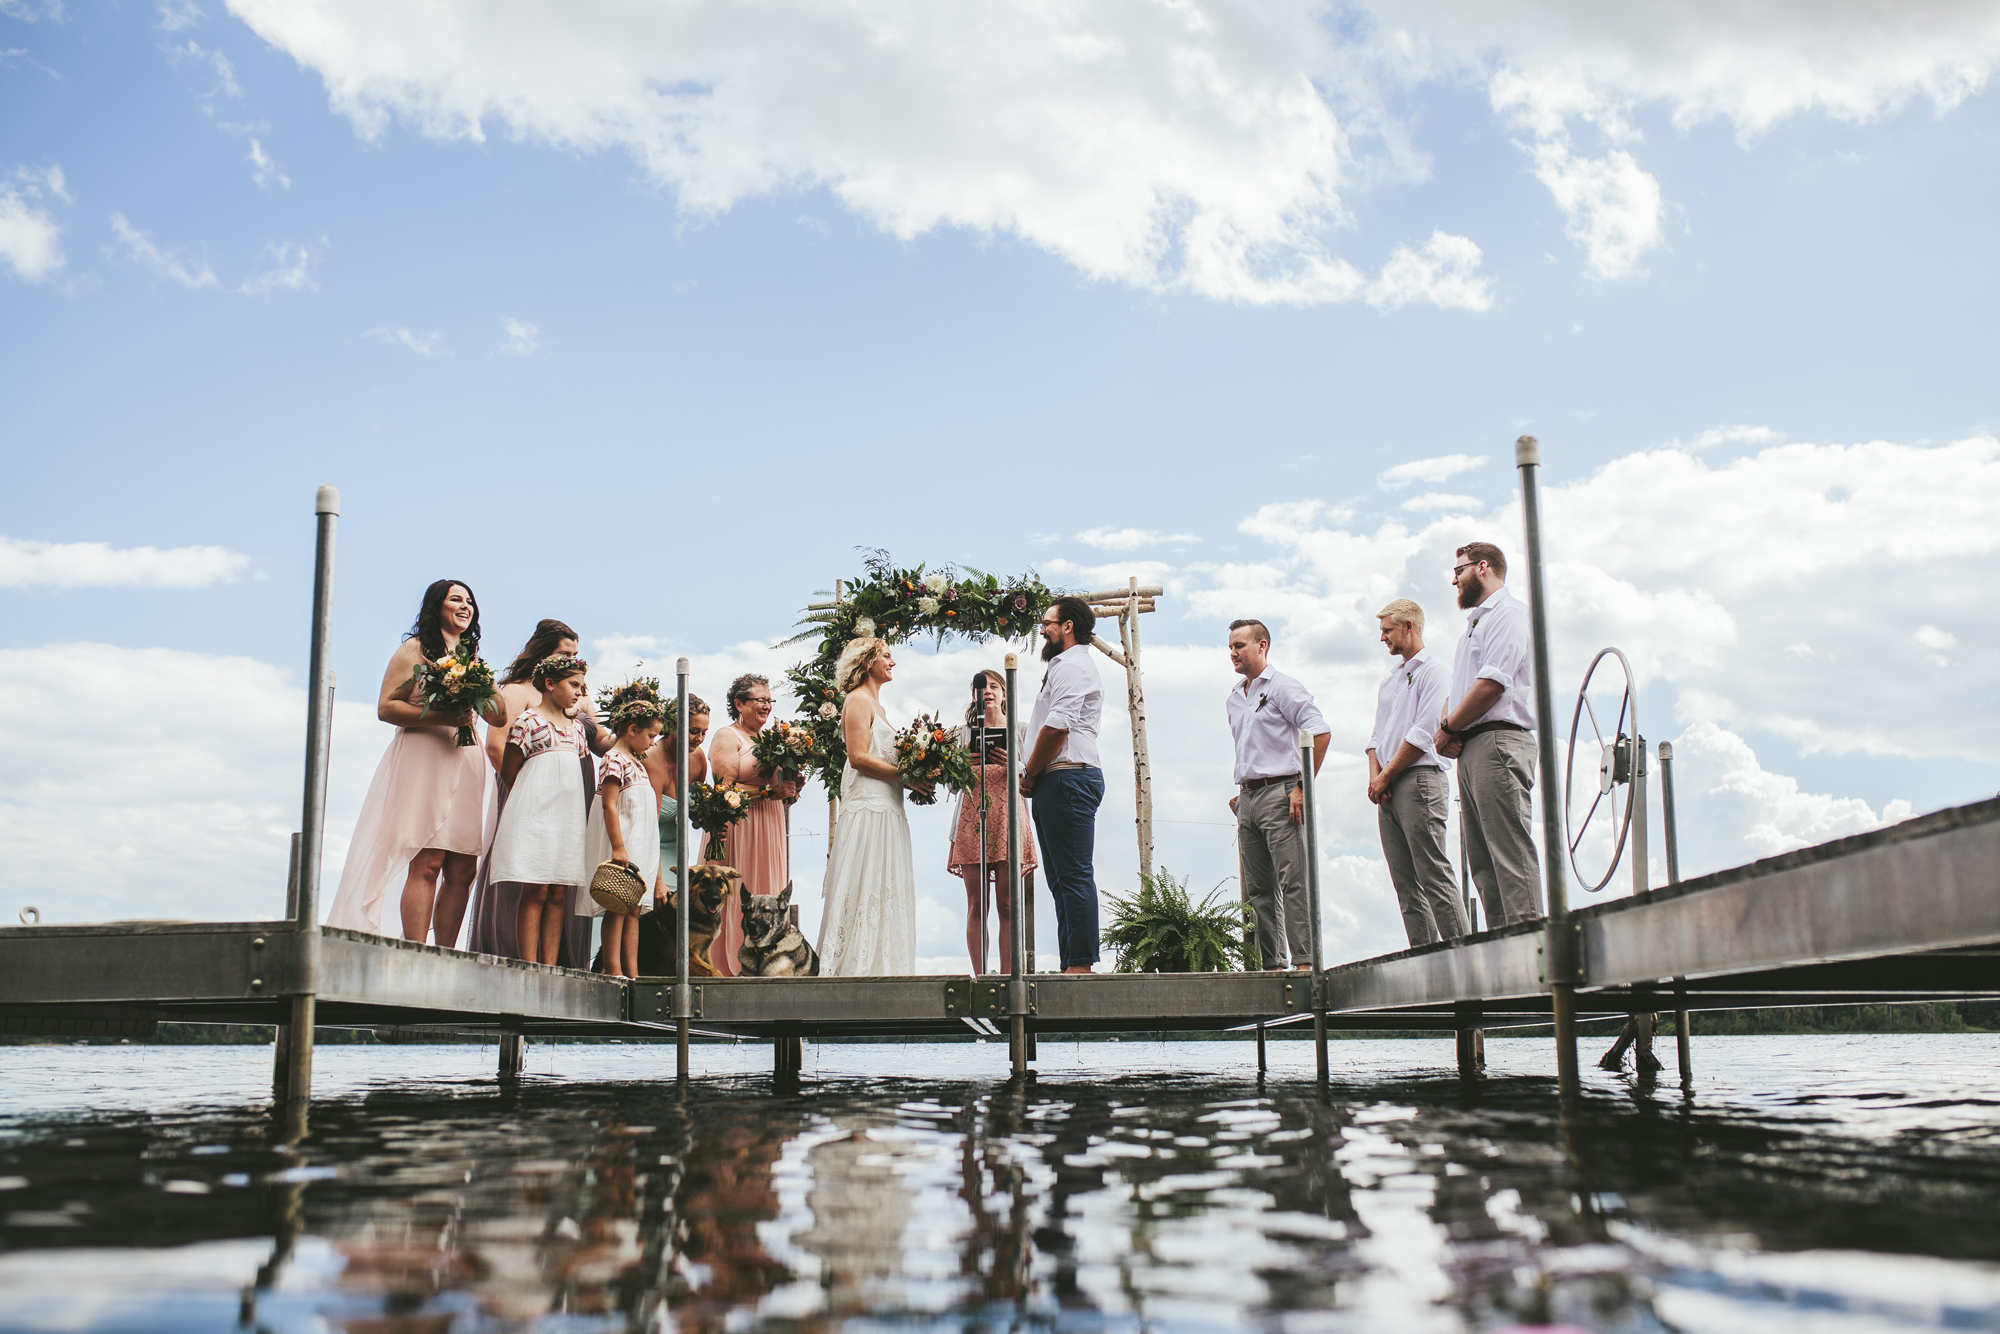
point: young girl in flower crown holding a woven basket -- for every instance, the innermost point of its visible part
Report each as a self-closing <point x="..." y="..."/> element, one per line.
<point x="625" y="819"/>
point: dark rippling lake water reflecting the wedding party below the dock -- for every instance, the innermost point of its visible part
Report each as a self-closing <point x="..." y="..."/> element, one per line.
<point x="1809" y="1185"/>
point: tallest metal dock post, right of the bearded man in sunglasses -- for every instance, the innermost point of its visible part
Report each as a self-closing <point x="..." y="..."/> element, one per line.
<point x="1559" y="943"/>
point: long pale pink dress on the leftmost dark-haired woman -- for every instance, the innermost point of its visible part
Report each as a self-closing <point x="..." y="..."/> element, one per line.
<point x="429" y="793"/>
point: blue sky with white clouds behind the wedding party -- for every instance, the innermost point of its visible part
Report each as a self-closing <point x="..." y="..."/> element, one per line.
<point x="651" y="317"/>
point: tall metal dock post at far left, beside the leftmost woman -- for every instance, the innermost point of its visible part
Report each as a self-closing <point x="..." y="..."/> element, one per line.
<point x="295" y="1041"/>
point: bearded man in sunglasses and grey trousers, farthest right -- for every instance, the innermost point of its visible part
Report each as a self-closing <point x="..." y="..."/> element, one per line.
<point x="1489" y="729"/>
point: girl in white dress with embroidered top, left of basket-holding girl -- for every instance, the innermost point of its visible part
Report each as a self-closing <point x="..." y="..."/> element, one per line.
<point x="541" y="841"/>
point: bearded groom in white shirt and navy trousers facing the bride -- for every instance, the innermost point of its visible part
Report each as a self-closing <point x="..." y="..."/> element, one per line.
<point x="1065" y="779"/>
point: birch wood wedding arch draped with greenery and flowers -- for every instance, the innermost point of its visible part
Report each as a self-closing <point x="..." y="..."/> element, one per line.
<point x="901" y="605"/>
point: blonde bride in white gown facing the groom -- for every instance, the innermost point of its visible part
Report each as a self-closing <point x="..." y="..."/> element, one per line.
<point x="871" y="889"/>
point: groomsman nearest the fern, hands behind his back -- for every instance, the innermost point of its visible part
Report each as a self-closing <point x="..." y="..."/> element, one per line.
<point x="1267" y="715"/>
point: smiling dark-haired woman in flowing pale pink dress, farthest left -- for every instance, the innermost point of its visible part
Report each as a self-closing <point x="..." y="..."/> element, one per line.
<point x="423" y="823"/>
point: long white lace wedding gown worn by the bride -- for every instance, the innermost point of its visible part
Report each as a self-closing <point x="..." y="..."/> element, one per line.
<point x="871" y="887"/>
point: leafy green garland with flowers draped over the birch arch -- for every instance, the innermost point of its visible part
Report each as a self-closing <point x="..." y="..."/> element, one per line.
<point x="901" y="605"/>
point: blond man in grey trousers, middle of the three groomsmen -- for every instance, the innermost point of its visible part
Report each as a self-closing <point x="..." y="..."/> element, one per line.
<point x="1409" y="779"/>
